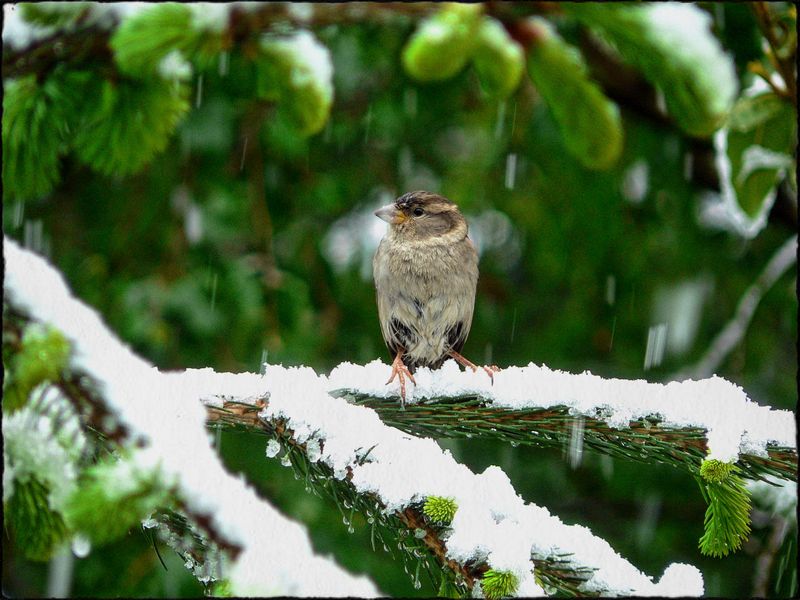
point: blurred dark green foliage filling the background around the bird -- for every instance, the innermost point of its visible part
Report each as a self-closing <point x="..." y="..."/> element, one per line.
<point x="246" y="240"/>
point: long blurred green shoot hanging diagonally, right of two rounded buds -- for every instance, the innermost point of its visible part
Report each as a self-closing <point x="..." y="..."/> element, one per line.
<point x="589" y="122"/>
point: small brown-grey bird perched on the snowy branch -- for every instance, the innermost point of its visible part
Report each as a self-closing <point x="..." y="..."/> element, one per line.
<point x="426" y="270"/>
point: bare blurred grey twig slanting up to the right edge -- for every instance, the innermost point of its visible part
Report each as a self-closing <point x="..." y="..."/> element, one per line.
<point x="732" y="334"/>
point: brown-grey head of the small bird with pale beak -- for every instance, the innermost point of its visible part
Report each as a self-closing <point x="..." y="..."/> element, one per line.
<point x="423" y="216"/>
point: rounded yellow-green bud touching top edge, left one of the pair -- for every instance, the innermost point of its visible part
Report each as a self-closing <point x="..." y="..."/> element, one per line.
<point x="443" y="43"/>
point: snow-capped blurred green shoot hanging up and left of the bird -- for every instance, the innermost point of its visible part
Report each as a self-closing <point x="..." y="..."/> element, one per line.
<point x="295" y="71"/>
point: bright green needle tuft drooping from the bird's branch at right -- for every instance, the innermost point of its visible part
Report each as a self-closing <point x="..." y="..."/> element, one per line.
<point x="727" y="520"/>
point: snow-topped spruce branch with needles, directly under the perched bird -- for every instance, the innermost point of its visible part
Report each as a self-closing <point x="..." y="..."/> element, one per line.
<point x="679" y="423"/>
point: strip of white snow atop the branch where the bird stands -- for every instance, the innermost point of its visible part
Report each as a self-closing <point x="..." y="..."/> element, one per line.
<point x="734" y="422"/>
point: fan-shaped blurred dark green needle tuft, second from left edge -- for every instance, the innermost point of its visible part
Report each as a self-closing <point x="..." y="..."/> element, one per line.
<point x="127" y="123"/>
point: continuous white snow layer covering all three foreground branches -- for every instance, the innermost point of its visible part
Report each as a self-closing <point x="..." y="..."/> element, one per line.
<point x="492" y="523"/>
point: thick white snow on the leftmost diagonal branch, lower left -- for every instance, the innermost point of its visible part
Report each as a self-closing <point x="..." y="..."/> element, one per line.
<point x="273" y="555"/>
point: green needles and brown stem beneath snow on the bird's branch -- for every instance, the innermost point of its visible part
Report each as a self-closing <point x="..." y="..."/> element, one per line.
<point x="643" y="440"/>
